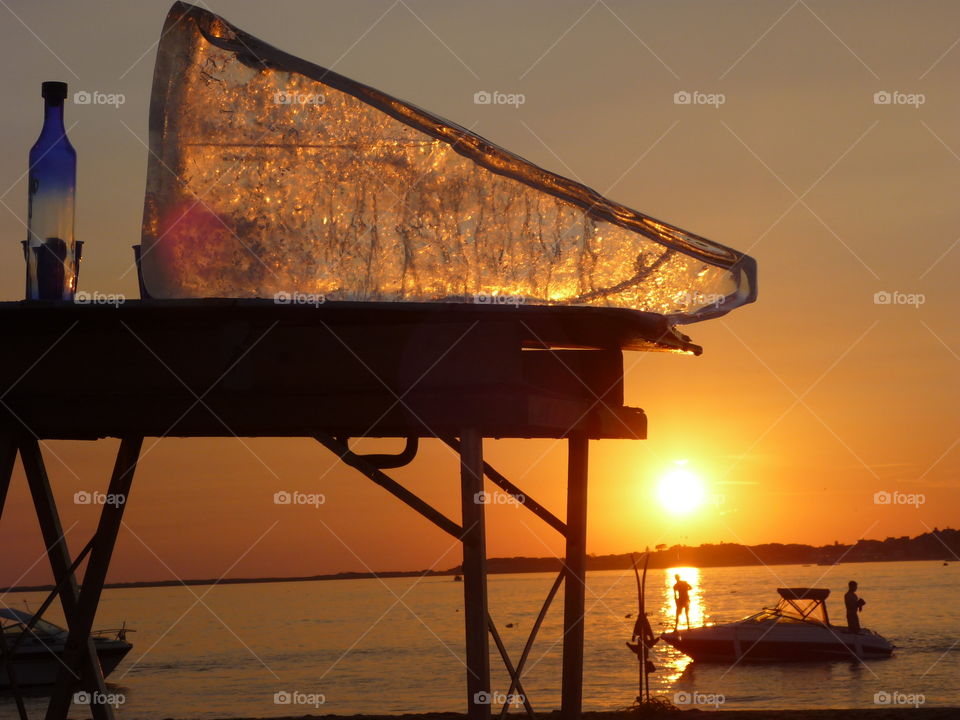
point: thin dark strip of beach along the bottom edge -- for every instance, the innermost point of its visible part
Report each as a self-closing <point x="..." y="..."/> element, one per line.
<point x="901" y="713"/>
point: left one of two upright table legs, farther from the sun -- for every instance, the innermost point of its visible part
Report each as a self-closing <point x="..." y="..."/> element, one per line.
<point x="474" y="575"/>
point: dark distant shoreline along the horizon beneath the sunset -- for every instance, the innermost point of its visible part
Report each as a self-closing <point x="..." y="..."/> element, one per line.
<point x="936" y="546"/>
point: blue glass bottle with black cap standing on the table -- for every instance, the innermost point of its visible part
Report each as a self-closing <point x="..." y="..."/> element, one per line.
<point x="51" y="248"/>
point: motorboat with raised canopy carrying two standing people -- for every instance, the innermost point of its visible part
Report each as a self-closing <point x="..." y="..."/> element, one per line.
<point x="797" y="629"/>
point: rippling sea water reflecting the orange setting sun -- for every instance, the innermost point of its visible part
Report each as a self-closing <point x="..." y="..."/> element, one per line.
<point x="395" y="646"/>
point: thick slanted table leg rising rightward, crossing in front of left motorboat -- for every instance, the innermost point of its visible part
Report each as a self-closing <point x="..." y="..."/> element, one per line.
<point x="95" y="575"/>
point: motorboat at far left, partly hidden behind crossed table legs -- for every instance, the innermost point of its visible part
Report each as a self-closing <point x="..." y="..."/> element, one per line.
<point x="38" y="647"/>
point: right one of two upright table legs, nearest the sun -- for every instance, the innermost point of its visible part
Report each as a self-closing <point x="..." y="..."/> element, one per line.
<point x="571" y="704"/>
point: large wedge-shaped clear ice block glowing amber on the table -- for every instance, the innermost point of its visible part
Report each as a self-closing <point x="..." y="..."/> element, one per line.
<point x="269" y="174"/>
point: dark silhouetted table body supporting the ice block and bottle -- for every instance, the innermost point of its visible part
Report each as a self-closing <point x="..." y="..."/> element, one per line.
<point x="256" y="368"/>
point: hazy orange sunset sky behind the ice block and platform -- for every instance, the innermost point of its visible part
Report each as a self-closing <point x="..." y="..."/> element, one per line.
<point x="802" y="406"/>
